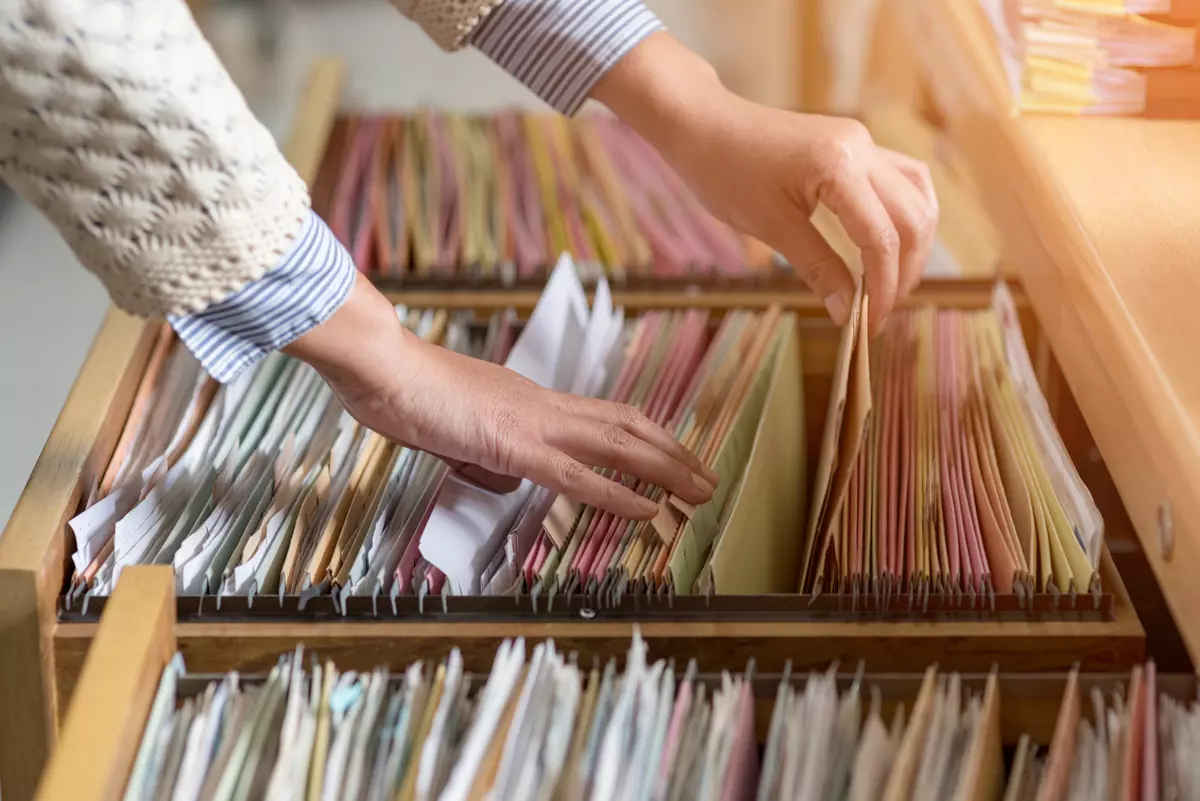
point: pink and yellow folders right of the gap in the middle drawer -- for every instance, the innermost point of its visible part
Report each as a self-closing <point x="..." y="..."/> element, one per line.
<point x="941" y="469"/>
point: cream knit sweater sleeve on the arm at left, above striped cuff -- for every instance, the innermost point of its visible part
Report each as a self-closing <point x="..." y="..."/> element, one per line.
<point x="118" y="122"/>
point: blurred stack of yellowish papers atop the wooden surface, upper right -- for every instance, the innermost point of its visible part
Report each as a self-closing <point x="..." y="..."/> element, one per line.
<point x="1094" y="57"/>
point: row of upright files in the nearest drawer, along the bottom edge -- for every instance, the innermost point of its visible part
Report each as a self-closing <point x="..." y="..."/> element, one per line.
<point x="543" y="727"/>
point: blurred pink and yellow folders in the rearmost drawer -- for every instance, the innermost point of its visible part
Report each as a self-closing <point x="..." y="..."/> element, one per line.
<point x="451" y="197"/>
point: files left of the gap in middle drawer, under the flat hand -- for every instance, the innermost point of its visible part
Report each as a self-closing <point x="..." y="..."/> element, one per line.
<point x="269" y="487"/>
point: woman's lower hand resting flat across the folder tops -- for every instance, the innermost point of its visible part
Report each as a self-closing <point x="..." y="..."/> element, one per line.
<point x="488" y="423"/>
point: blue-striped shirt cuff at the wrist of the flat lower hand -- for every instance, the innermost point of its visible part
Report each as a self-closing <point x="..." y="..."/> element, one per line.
<point x="302" y="292"/>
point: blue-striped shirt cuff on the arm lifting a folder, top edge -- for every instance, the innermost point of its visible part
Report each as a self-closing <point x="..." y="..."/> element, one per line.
<point x="561" y="49"/>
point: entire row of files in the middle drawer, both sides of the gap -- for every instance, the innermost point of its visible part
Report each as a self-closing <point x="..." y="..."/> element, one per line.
<point x="939" y="472"/>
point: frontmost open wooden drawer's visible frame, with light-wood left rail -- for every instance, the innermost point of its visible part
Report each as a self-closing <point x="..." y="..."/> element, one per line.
<point x="105" y="725"/>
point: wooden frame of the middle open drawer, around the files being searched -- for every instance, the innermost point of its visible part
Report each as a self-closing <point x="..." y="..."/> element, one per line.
<point x="41" y="658"/>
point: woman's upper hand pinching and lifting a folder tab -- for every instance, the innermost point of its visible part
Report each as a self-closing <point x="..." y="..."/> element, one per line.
<point x="765" y="172"/>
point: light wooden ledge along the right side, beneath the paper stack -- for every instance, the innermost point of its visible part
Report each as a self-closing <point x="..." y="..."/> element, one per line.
<point x="1100" y="222"/>
